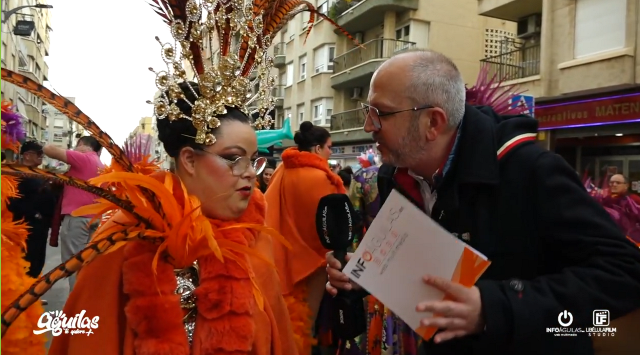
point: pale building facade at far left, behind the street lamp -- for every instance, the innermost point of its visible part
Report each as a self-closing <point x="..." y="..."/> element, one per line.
<point x="26" y="55"/>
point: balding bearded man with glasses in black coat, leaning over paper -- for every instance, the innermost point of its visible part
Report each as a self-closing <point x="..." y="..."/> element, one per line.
<point x="554" y="250"/>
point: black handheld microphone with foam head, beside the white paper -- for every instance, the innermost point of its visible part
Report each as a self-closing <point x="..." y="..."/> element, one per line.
<point x="335" y="222"/>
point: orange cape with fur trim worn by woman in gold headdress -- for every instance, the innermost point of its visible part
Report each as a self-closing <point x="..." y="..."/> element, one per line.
<point x="125" y="323"/>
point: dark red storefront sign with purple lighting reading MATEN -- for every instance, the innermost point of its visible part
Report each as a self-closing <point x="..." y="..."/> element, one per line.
<point x="607" y="110"/>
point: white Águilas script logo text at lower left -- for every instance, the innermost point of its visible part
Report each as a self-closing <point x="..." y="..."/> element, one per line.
<point x="57" y="322"/>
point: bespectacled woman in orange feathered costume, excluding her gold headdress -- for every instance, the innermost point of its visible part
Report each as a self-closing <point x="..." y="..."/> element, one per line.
<point x="201" y="280"/>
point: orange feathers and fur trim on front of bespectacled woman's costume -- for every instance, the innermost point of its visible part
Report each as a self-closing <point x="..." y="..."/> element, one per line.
<point x="227" y="295"/>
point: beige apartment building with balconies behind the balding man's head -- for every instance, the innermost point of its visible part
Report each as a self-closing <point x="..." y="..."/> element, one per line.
<point x="327" y="78"/>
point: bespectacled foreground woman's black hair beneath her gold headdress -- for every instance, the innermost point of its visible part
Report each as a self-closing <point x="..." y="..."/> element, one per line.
<point x="178" y="134"/>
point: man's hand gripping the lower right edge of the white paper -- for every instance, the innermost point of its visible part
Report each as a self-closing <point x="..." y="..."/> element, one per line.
<point x="459" y="316"/>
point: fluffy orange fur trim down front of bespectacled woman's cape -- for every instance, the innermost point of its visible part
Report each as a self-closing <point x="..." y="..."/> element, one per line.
<point x="226" y="299"/>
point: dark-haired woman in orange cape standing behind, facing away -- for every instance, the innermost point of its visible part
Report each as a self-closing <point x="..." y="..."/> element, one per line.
<point x="292" y="199"/>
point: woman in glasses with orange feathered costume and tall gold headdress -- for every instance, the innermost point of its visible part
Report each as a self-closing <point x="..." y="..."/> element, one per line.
<point x="186" y="263"/>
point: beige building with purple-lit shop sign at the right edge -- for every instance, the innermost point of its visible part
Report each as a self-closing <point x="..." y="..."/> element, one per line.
<point x="580" y="60"/>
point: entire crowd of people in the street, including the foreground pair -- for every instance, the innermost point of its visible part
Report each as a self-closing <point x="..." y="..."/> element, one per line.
<point x="220" y="255"/>
